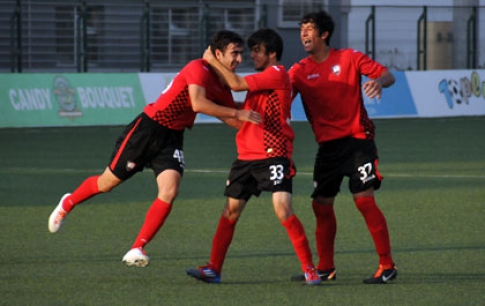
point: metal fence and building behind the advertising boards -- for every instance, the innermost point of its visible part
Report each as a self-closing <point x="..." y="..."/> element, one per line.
<point x="121" y="36"/>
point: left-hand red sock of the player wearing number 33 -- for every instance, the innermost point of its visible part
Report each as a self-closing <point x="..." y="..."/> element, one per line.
<point x="221" y="241"/>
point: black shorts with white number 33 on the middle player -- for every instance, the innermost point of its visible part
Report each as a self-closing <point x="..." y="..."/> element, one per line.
<point x="248" y="178"/>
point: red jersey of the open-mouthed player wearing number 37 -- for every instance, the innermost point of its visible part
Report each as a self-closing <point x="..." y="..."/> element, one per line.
<point x="331" y="93"/>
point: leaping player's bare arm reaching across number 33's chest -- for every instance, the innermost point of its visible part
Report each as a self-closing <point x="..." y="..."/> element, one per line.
<point x="200" y="104"/>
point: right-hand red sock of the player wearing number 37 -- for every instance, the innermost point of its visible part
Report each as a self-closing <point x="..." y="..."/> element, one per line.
<point x="377" y="225"/>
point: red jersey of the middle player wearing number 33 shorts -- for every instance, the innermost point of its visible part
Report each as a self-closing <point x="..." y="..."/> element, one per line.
<point x="269" y="94"/>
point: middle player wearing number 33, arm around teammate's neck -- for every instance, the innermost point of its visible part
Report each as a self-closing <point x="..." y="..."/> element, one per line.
<point x="264" y="154"/>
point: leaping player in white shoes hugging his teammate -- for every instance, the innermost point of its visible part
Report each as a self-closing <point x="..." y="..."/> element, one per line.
<point x="155" y="139"/>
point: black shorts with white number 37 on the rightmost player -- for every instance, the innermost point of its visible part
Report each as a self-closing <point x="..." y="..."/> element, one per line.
<point x="355" y="158"/>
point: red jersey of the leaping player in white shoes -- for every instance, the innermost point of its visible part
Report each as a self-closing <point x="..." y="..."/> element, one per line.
<point x="173" y="107"/>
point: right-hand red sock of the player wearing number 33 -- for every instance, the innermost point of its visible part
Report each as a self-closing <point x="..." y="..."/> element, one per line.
<point x="298" y="238"/>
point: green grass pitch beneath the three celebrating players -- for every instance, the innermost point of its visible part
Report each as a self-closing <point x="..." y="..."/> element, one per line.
<point x="433" y="196"/>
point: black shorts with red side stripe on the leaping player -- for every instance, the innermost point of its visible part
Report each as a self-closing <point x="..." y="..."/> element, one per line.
<point x="145" y="143"/>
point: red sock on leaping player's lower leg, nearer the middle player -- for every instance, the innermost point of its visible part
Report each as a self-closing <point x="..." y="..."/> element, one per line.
<point x="154" y="219"/>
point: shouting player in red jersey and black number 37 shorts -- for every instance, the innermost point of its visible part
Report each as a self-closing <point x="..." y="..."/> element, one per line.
<point x="329" y="83"/>
